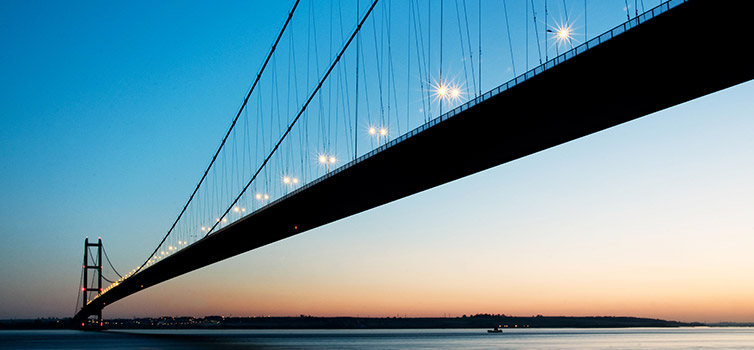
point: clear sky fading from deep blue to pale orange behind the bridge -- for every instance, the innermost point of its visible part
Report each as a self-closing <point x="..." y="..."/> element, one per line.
<point x="110" y="112"/>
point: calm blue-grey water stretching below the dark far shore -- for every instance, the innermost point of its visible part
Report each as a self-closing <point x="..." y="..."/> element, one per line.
<point x="467" y="339"/>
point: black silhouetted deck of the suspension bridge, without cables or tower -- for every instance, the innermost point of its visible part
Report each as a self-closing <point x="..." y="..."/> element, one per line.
<point x="692" y="50"/>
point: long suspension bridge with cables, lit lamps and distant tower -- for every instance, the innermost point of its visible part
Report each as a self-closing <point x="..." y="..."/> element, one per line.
<point x="264" y="183"/>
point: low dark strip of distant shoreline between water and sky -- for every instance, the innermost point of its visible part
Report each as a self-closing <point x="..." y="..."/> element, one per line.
<point x="313" y="322"/>
